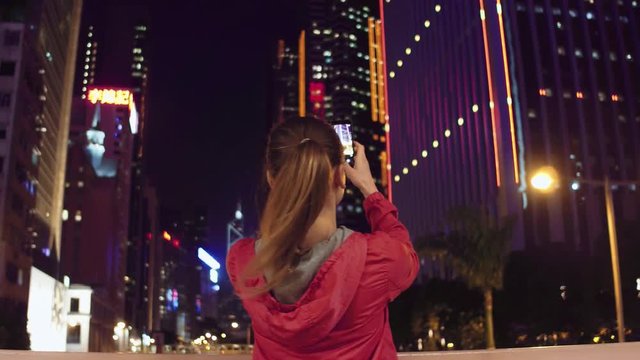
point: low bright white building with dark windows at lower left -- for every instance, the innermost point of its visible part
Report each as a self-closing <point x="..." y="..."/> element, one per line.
<point x="78" y="318"/>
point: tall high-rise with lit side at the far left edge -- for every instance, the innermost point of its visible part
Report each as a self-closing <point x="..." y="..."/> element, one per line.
<point x="38" y="41"/>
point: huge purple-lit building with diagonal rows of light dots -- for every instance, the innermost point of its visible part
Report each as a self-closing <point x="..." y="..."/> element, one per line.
<point x="481" y="94"/>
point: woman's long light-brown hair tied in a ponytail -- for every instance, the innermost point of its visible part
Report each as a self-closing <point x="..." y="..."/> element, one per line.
<point x="301" y="156"/>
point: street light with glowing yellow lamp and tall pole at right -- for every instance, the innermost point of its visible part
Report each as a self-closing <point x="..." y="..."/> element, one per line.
<point x="546" y="179"/>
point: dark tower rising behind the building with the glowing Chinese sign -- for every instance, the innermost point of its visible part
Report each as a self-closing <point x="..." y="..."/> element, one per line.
<point x="97" y="65"/>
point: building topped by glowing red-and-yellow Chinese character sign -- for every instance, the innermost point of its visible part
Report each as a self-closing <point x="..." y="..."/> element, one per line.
<point x="96" y="213"/>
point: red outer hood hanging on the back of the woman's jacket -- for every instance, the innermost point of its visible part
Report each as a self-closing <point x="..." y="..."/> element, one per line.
<point x="321" y="306"/>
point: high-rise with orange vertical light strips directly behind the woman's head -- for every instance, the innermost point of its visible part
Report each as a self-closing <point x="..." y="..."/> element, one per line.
<point x="336" y="66"/>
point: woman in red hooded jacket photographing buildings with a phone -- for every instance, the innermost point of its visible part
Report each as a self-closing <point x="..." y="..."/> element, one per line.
<point x="315" y="290"/>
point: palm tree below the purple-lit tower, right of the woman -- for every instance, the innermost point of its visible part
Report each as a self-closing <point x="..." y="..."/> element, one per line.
<point x="477" y="248"/>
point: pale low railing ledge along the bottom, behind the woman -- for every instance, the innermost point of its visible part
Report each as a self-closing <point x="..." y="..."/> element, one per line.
<point x="625" y="351"/>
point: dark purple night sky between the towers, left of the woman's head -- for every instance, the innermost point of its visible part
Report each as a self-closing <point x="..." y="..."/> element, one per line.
<point x="209" y="86"/>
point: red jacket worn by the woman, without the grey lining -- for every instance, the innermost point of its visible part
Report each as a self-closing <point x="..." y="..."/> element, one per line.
<point x="343" y="314"/>
